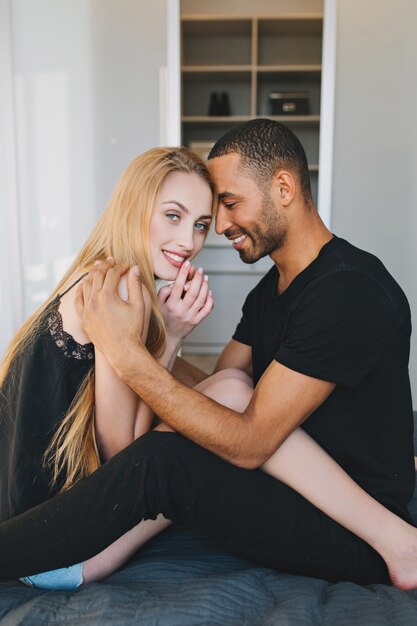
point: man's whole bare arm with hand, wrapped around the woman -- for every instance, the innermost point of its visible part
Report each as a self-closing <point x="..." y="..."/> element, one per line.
<point x="282" y="400"/>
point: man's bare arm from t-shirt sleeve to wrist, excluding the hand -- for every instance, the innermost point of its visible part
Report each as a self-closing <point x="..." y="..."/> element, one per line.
<point x="282" y="400"/>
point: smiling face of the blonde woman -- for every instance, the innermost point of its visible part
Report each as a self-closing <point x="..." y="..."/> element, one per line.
<point x="179" y="222"/>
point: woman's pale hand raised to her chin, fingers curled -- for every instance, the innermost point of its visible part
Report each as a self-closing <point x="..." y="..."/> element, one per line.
<point x="186" y="302"/>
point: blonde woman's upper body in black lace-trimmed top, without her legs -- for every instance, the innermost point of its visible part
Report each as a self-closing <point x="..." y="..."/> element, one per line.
<point x="63" y="410"/>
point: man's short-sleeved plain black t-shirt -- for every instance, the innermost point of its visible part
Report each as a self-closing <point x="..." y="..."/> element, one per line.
<point x="344" y="319"/>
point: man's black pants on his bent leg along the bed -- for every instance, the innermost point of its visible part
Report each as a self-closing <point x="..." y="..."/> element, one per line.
<point x="247" y="512"/>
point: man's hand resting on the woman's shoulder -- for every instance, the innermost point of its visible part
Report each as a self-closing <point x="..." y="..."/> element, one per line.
<point x="111" y="323"/>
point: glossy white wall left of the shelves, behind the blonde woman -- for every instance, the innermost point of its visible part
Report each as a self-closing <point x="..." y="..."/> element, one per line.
<point x="84" y="85"/>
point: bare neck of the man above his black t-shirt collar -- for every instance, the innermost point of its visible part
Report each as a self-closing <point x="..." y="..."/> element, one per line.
<point x="301" y="247"/>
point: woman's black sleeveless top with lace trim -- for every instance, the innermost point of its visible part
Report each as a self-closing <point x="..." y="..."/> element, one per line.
<point x="36" y="394"/>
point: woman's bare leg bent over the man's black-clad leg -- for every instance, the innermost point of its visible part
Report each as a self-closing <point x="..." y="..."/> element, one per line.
<point x="303" y="465"/>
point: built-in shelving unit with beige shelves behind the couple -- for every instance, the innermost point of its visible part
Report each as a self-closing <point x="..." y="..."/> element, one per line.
<point x="246" y="56"/>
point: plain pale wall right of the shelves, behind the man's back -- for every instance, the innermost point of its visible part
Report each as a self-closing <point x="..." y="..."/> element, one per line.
<point x="375" y="138"/>
